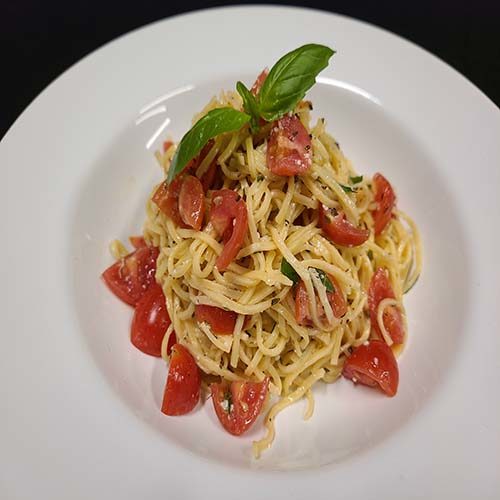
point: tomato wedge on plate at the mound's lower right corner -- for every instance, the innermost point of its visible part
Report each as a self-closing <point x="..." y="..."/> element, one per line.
<point x="373" y="364"/>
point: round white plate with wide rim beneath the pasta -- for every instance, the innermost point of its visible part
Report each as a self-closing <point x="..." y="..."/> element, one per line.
<point x="80" y="415"/>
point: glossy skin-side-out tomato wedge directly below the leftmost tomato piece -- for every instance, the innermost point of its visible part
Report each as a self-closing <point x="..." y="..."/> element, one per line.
<point x="150" y="321"/>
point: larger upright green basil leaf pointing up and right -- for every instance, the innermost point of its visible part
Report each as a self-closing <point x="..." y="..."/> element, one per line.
<point x="290" y="78"/>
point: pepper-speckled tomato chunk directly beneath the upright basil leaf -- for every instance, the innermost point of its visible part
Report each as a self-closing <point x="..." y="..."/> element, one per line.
<point x="289" y="147"/>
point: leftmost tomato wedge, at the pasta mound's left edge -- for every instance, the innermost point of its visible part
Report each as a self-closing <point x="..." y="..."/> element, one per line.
<point x="130" y="277"/>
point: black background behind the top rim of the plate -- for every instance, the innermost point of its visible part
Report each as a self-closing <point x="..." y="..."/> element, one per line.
<point x="40" y="39"/>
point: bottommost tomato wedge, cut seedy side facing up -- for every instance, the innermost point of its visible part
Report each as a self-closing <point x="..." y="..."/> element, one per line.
<point x="238" y="405"/>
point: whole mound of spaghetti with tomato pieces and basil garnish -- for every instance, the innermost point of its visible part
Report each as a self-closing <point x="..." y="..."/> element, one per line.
<point x="267" y="262"/>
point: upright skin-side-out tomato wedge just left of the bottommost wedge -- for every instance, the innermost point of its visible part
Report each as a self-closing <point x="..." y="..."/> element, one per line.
<point x="182" y="390"/>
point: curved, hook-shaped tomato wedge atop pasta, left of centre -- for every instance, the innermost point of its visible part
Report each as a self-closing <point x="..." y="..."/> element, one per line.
<point x="229" y="217"/>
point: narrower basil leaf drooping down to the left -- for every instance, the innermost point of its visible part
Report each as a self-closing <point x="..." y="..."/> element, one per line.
<point x="215" y="122"/>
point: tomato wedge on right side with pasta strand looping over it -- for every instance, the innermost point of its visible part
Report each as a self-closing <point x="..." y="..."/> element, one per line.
<point x="380" y="288"/>
